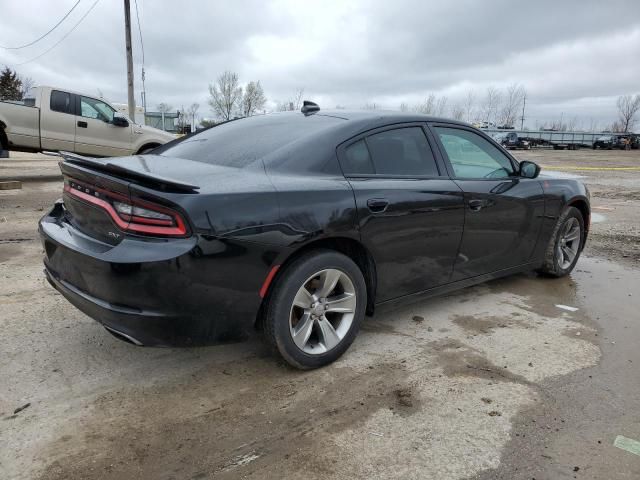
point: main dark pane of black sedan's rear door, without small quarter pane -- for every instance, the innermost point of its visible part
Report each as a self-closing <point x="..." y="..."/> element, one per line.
<point x="403" y="151"/>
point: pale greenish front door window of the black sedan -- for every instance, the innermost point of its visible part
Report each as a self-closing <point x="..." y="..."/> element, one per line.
<point x="472" y="156"/>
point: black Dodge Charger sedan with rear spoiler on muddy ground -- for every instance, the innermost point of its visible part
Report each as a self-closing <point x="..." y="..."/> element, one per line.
<point x="299" y="224"/>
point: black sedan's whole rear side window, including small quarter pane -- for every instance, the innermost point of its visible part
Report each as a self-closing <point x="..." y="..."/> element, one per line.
<point x="402" y="151"/>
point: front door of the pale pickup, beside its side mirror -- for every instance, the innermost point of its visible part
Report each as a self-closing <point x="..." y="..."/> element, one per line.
<point x="95" y="132"/>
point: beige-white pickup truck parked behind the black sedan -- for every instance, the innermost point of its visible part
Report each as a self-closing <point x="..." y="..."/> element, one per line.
<point x="56" y="119"/>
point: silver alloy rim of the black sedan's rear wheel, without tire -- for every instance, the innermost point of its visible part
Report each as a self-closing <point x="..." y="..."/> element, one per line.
<point x="323" y="311"/>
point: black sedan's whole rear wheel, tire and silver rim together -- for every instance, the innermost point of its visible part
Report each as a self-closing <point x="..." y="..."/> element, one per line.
<point x="315" y="309"/>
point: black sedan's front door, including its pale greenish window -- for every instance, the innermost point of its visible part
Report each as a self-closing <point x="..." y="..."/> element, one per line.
<point x="503" y="212"/>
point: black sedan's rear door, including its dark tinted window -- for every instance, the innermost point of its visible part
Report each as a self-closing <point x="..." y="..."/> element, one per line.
<point x="410" y="214"/>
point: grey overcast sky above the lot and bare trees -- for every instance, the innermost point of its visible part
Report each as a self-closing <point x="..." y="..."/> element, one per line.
<point x="573" y="57"/>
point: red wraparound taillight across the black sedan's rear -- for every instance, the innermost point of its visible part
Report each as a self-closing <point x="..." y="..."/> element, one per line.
<point x="137" y="216"/>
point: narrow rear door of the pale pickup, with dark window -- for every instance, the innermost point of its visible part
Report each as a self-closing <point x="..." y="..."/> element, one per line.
<point x="57" y="121"/>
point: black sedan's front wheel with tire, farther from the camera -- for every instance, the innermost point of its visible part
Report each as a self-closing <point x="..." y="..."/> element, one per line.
<point x="565" y="244"/>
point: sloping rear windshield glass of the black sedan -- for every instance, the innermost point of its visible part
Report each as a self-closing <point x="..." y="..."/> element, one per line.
<point x="241" y="142"/>
